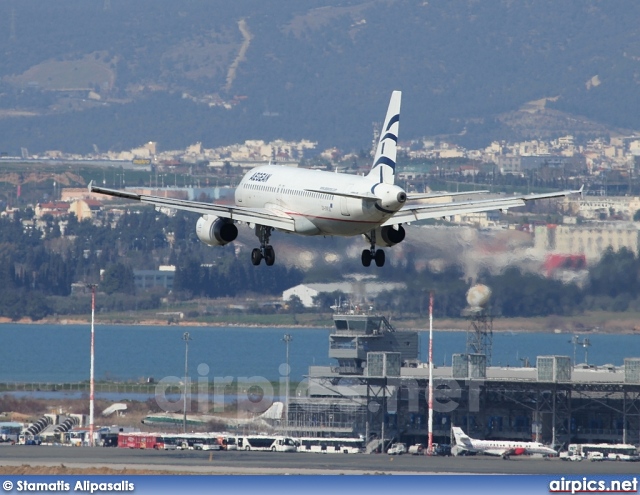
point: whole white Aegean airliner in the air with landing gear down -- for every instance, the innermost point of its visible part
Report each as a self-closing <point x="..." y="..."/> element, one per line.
<point x="313" y="202"/>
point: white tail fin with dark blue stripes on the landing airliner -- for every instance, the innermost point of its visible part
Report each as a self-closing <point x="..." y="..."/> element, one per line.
<point x="384" y="162"/>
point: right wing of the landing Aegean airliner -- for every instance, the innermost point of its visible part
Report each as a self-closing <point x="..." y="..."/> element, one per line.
<point x="412" y="213"/>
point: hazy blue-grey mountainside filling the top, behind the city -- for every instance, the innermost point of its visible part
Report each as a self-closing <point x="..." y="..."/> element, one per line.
<point x="79" y="73"/>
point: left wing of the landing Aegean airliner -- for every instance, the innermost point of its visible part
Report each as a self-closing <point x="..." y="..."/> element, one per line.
<point x="262" y="216"/>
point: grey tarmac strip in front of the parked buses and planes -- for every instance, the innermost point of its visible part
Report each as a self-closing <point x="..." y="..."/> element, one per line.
<point x="234" y="462"/>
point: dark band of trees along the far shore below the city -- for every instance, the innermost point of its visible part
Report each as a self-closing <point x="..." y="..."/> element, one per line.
<point x="38" y="268"/>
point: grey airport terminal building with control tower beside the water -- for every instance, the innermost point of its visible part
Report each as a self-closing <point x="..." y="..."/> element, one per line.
<point x="378" y="389"/>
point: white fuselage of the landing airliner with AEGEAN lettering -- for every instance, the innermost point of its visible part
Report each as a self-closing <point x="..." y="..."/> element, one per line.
<point x="321" y="211"/>
